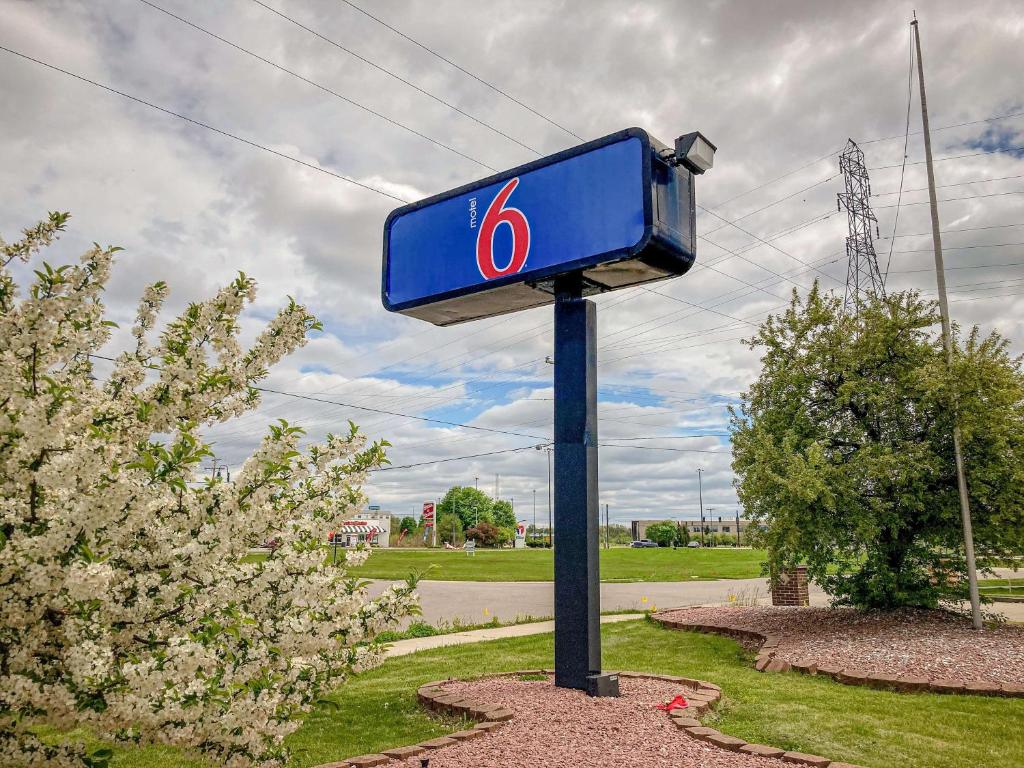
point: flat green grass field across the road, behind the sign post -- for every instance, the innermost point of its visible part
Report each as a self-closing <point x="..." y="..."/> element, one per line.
<point x="537" y="566"/>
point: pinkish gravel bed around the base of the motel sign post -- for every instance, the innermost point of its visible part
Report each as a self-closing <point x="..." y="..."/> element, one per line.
<point x="557" y="728"/>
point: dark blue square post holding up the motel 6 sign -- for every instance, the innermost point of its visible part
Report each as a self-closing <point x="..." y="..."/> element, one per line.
<point x="578" y="598"/>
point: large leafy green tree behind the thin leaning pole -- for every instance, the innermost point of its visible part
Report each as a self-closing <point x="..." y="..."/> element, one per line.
<point x="843" y="449"/>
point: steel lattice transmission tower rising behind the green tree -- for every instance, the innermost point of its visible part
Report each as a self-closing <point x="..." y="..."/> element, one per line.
<point x="864" y="278"/>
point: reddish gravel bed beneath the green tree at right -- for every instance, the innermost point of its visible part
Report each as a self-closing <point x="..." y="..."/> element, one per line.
<point x="937" y="646"/>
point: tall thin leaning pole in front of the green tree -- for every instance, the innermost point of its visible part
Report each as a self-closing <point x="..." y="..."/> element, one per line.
<point x="941" y="276"/>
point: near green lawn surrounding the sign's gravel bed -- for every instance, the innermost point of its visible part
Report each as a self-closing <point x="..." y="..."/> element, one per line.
<point x="875" y="730"/>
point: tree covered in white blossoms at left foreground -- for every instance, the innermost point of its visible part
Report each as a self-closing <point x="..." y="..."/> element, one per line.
<point x="126" y="601"/>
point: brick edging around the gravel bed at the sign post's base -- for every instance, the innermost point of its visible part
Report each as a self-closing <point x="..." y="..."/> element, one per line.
<point x="701" y="700"/>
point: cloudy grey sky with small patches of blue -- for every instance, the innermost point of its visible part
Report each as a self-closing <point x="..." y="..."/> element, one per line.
<point x="780" y="88"/>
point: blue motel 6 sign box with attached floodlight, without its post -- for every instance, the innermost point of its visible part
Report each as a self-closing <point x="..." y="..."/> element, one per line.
<point x="619" y="210"/>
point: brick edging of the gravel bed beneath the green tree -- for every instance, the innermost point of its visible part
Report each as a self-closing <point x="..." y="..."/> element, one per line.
<point x="769" y="660"/>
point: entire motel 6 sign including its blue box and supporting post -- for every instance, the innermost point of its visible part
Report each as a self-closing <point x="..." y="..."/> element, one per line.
<point x="609" y="215"/>
